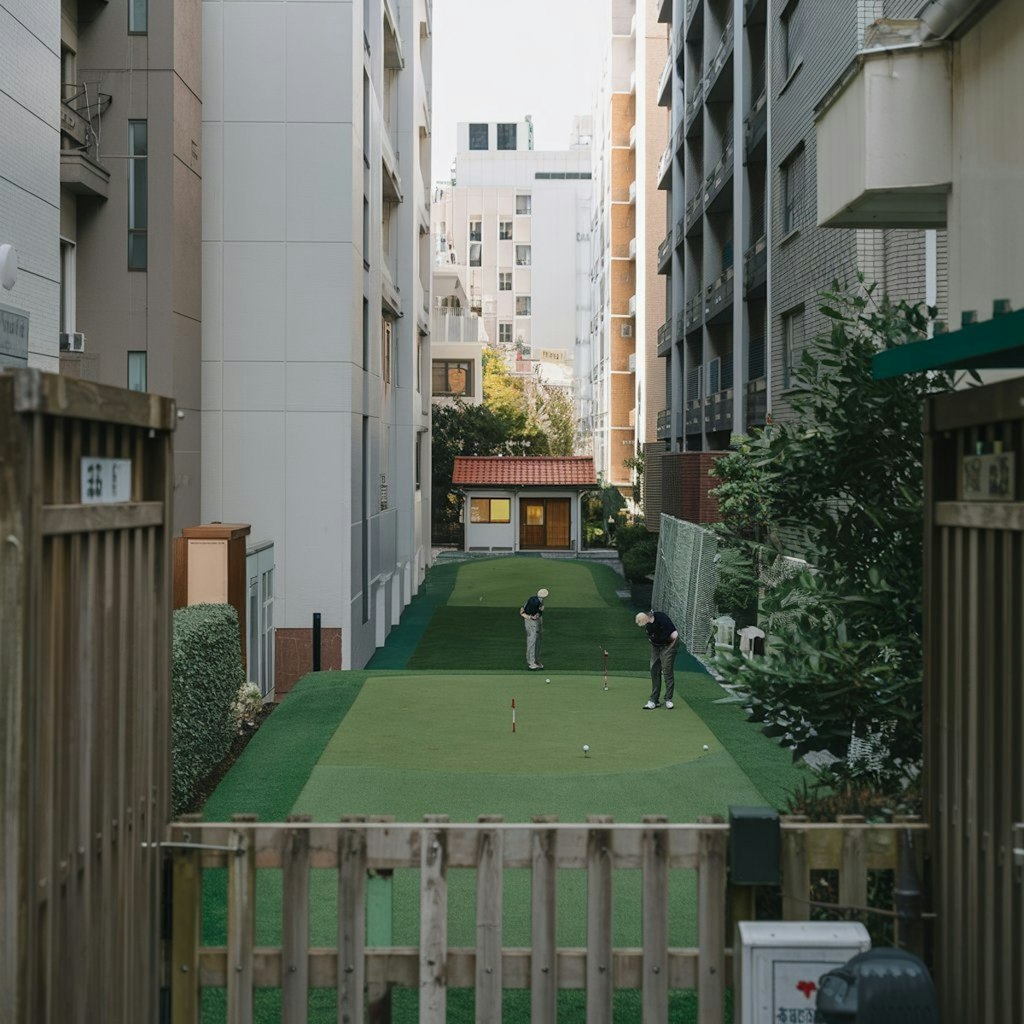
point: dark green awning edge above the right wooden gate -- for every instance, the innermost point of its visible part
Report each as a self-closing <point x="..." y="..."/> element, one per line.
<point x="996" y="345"/>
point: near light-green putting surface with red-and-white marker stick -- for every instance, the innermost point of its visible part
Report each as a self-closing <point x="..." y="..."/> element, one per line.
<point x="463" y="724"/>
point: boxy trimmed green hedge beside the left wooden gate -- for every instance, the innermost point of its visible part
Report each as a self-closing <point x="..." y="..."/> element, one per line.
<point x="206" y="676"/>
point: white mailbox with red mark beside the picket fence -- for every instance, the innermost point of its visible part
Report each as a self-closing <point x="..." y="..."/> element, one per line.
<point x="781" y="963"/>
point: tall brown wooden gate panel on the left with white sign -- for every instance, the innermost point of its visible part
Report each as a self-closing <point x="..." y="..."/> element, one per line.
<point x="84" y="698"/>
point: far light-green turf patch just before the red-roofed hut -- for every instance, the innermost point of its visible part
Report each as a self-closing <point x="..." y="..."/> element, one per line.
<point x="508" y="582"/>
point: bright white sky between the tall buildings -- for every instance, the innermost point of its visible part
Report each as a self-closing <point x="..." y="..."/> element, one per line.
<point x="502" y="60"/>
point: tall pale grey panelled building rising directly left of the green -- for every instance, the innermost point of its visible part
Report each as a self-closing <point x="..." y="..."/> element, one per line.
<point x="317" y="308"/>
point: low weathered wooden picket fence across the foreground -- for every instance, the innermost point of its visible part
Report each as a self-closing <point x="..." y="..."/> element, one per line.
<point x="360" y="848"/>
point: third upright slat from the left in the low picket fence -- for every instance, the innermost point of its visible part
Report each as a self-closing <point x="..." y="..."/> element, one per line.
<point x="295" y="926"/>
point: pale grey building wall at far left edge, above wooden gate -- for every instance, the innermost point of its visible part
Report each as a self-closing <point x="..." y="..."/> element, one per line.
<point x="30" y="186"/>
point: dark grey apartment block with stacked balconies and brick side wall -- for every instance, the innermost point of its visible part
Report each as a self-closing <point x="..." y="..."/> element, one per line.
<point x="745" y="259"/>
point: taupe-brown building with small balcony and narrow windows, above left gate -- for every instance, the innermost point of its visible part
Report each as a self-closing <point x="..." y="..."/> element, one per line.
<point x="129" y="242"/>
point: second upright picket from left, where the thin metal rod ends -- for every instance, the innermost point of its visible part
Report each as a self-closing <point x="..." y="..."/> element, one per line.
<point x="241" y="922"/>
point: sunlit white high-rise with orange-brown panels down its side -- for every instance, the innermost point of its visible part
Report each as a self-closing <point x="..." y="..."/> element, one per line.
<point x="624" y="383"/>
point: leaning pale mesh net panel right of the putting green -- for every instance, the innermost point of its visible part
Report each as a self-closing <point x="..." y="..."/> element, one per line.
<point x="686" y="581"/>
